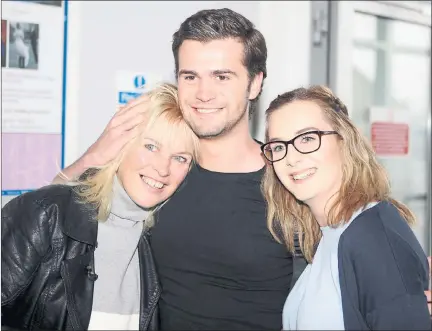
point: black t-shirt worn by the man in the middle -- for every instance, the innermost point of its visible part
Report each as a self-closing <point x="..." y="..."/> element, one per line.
<point x="218" y="264"/>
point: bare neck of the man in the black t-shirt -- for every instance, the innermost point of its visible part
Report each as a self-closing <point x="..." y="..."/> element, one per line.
<point x="234" y="152"/>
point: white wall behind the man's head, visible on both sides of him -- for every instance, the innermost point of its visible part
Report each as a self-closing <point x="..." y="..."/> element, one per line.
<point x="104" y="37"/>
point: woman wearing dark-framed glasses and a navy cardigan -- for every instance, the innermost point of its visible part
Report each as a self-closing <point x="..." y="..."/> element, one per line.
<point x="366" y="269"/>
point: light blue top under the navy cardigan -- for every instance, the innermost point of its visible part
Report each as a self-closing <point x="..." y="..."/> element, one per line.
<point x="315" y="301"/>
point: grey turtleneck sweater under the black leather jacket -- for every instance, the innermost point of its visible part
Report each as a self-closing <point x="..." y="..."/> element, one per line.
<point x="116" y="298"/>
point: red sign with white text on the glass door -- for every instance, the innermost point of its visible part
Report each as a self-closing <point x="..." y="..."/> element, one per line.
<point x="390" y="139"/>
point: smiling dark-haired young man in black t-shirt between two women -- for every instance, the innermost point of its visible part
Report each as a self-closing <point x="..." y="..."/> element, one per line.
<point x="218" y="264"/>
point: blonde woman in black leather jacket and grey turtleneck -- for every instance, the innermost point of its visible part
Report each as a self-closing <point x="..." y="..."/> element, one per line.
<point x="76" y="256"/>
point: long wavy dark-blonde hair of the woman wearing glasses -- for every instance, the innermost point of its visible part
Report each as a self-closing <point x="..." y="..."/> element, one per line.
<point x="364" y="179"/>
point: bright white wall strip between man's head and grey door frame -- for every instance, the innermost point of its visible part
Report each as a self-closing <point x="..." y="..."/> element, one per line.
<point x="286" y="25"/>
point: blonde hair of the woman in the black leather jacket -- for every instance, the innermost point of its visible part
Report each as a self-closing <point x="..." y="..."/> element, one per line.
<point x="160" y="105"/>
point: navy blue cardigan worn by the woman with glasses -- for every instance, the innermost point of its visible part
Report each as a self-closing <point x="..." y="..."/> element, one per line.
<point x="383" y="273"/>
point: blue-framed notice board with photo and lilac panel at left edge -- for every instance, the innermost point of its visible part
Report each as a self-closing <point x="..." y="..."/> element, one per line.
<point x="33" y="60"/>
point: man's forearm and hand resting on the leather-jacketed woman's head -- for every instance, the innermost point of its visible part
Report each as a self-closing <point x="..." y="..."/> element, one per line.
<point x="122" y="127"/>
